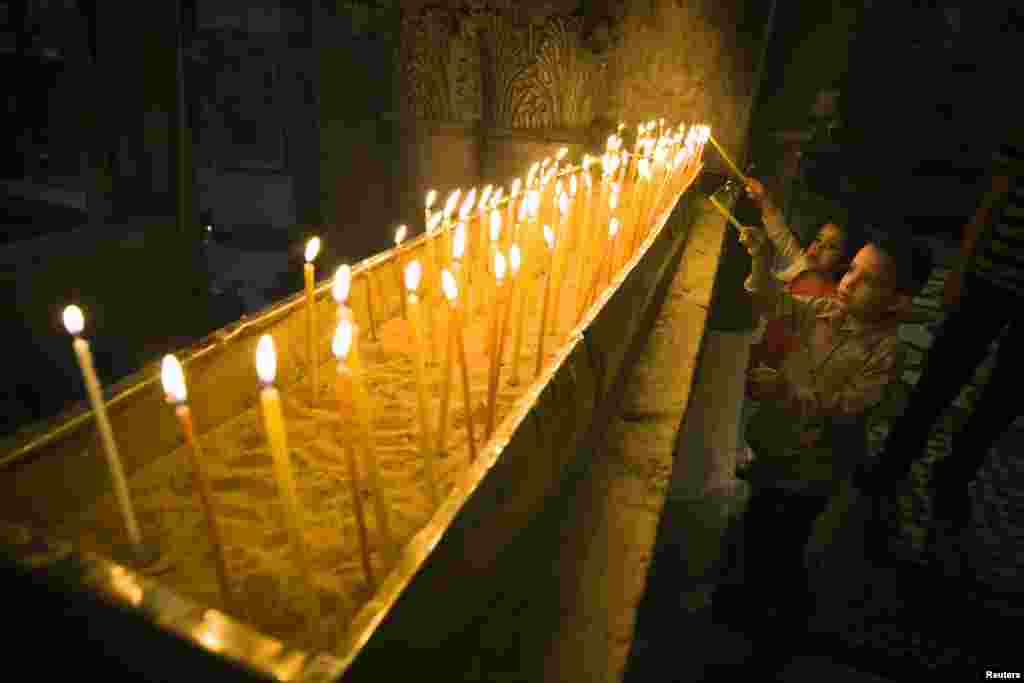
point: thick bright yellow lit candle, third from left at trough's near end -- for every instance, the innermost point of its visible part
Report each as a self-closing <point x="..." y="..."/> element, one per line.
<point x="274" y="423"/>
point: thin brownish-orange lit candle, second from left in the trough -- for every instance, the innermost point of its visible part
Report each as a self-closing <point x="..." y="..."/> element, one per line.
<point x="174" y="381"/>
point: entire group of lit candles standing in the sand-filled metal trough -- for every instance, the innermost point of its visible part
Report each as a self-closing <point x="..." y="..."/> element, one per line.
<point x="574" y="218"/>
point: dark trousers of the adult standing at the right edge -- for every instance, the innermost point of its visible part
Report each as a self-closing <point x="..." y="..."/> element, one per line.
<point x="961" y="346"/>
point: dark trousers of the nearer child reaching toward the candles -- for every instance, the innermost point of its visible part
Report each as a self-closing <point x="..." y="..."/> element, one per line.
<point x="778" y="526"/>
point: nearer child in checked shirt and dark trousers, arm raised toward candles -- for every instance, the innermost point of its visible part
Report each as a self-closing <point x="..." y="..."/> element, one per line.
<point x="812" y="433"/>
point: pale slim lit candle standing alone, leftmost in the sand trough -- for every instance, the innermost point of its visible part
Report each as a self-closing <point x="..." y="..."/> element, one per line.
<point x="75" y="322"/>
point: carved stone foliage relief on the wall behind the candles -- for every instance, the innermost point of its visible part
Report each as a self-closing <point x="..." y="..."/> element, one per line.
<point x="482" y="63"/>
